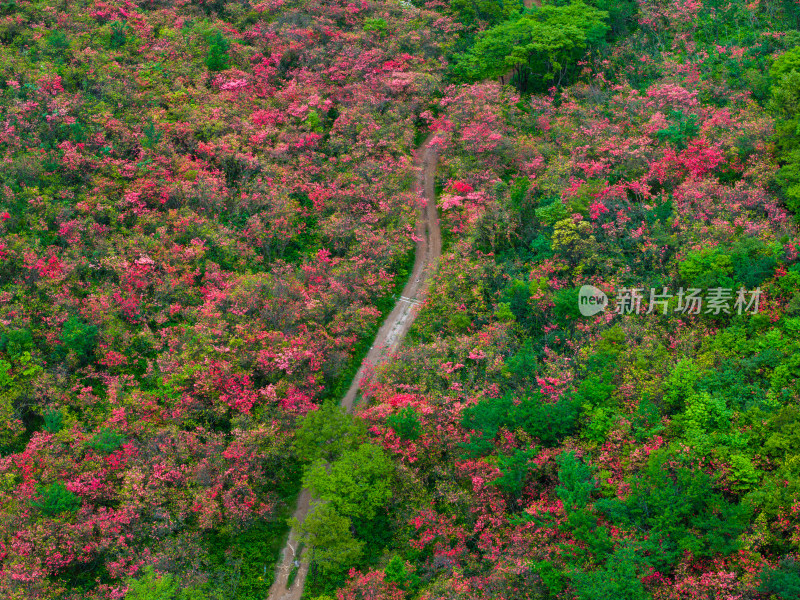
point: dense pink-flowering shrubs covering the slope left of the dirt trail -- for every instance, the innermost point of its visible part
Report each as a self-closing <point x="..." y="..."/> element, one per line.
<point x="203" y="208"/>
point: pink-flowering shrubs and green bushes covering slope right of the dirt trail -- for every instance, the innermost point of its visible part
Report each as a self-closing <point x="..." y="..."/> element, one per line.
<point x="543" y="454"/>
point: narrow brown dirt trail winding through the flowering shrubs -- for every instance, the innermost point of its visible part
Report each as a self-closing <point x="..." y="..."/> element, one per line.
<point x="391" y="333"/>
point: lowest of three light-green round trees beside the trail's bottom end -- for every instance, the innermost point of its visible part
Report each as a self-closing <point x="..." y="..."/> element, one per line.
<point x="328" y="533"/>
